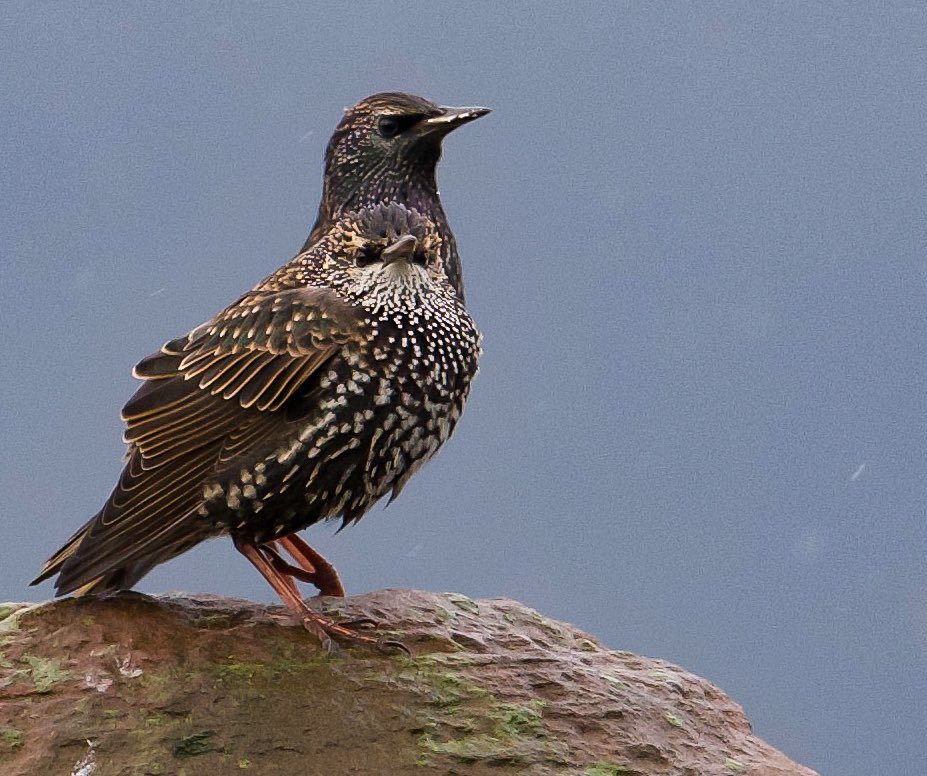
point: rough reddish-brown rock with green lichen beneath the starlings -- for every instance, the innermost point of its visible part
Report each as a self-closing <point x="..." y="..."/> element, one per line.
<point x="202" y="685"/>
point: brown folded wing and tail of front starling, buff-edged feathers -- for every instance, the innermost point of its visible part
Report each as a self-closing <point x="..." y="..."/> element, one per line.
<point x="208" y="398"/>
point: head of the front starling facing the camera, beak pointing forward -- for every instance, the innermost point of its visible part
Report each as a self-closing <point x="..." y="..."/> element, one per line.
<point x="388" y="254"/>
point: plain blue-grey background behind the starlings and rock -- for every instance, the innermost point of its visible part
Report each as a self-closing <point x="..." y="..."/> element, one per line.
<point x="693" y="236"/>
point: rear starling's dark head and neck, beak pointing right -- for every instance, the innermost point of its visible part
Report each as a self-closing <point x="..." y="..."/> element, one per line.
<point x="386" y="149"/>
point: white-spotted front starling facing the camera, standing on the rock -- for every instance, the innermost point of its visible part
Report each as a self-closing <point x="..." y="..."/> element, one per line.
<point x="315" y="394"/>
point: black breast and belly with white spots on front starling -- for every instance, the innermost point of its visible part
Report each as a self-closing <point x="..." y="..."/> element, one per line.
<point x="383" y="407"/>
